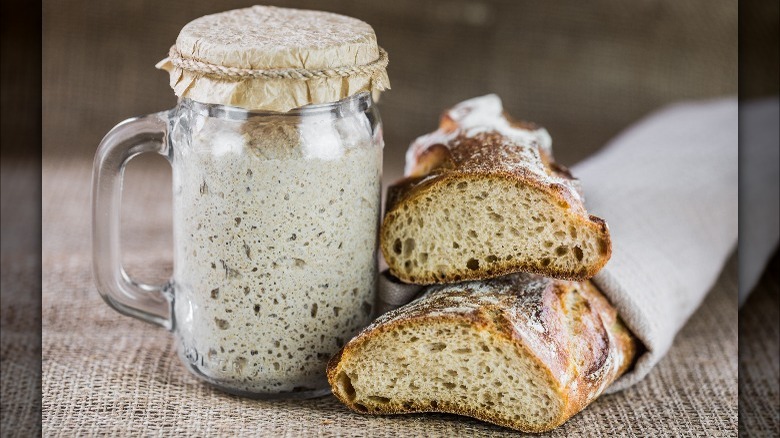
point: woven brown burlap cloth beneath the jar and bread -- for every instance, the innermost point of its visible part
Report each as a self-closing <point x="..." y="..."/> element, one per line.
<point x="104" y="373"/>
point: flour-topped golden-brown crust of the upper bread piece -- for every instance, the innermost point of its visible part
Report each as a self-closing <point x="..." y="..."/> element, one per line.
<point x="453" y="153"/>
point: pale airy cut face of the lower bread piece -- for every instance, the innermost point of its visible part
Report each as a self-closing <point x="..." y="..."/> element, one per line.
<point x="450" y="366"/>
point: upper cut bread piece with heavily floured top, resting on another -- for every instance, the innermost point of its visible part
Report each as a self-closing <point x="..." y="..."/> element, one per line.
<point x="482" y="198"/>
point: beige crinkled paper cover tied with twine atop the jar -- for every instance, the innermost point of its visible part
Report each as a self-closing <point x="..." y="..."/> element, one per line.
<point x="275" y="59"/>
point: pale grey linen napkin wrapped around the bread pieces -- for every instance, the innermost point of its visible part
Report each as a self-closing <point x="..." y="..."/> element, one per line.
<point x="667" y="187"/>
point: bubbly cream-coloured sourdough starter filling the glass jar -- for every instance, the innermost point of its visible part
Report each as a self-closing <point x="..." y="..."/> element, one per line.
<point x="275" y="227"/>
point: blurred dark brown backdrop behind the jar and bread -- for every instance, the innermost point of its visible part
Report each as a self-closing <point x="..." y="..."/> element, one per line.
<point x="584" y="70"/>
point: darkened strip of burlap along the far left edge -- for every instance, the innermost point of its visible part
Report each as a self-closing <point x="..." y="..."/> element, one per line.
<point x="20" y="344"/>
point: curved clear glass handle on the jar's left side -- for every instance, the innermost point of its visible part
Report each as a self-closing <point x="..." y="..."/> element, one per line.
<point x="150" y="303"/>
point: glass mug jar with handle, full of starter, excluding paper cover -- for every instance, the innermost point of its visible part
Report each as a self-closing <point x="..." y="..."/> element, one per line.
<point x="275" y="231"/>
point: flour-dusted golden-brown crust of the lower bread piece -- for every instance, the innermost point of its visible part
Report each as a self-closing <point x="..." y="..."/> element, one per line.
<point x="568" y="329"/>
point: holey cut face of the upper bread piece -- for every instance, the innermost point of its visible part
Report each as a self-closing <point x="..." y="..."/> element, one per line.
<point x="466" y="227"/>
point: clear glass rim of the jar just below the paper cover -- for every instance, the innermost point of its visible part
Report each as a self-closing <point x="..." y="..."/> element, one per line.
<point x="356" y="103"/>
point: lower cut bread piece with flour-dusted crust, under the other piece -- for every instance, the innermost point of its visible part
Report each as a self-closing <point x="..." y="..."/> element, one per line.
<point x="520" y="351"/>
